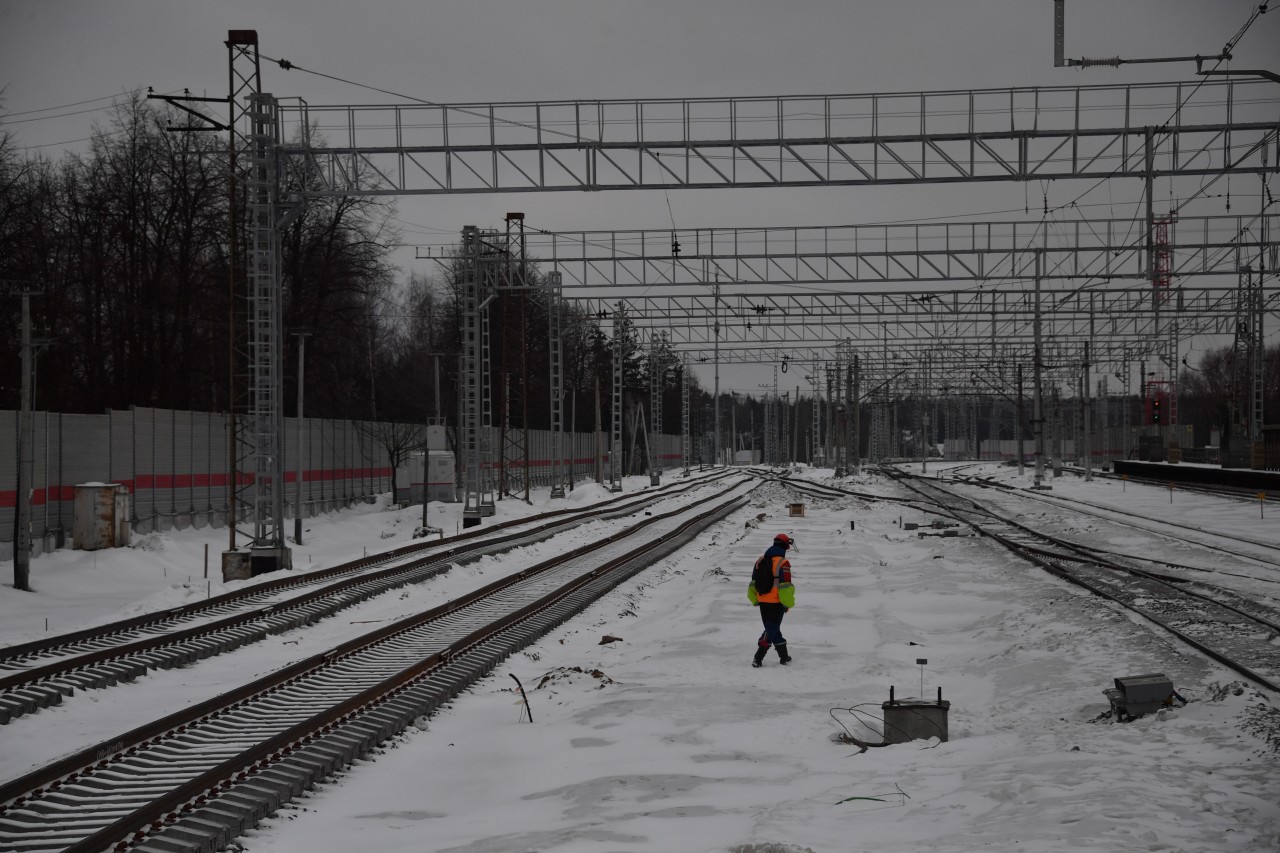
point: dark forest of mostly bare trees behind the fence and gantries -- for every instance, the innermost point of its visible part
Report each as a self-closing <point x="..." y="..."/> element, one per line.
<point x="129" y="245"/>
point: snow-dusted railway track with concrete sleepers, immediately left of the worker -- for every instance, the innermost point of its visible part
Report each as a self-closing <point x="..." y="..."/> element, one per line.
<point x="198" y="779"/>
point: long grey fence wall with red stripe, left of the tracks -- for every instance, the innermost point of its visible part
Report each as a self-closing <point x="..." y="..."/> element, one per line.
<point x="176" y="466"/>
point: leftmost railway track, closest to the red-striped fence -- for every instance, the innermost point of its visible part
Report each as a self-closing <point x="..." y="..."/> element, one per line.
<point x="38" y="687"/>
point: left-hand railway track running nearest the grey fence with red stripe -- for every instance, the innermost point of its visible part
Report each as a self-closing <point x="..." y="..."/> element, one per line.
<point x="42" y="674"/>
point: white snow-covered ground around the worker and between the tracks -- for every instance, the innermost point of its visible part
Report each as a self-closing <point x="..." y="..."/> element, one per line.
<point x="670" y="741"/>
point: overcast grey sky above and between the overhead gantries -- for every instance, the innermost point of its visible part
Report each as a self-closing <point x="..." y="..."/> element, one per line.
<point x="58" y="53"/>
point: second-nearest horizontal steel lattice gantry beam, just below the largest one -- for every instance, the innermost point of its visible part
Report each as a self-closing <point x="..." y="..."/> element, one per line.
<point x="1100" y="250"/>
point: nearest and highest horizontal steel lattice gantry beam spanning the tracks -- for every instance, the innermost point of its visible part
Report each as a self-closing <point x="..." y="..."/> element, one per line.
<point x="796" y="142"/>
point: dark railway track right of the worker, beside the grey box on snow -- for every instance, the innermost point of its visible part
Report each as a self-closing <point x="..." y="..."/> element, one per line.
<point x="1240" y="632"/>
